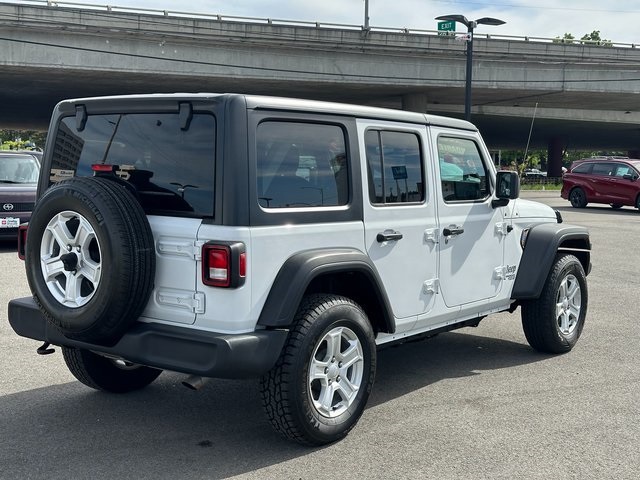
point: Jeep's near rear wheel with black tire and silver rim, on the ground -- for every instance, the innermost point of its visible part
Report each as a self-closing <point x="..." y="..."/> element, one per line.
<point x="293" y="401"/>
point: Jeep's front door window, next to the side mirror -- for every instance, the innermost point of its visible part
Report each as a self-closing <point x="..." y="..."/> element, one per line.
<point x="463" y="174"/>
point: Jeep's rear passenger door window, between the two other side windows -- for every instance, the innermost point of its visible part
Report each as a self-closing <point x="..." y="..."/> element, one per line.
<point x="394" y="167"/>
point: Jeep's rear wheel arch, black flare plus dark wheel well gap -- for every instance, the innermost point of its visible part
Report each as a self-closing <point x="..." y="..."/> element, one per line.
<point x="344" y="271"/>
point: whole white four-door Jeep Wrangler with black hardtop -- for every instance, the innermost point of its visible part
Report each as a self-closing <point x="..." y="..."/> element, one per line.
<point x="236" y="236"/>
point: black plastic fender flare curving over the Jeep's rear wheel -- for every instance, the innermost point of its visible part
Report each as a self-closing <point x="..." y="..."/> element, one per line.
<point x="301" y="269"/>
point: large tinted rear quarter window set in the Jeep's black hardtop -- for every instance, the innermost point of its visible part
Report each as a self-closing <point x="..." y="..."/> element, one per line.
<point x="301" y="165"/>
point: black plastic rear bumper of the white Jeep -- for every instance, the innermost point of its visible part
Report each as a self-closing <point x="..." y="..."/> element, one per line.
<point x="167" y="347"/>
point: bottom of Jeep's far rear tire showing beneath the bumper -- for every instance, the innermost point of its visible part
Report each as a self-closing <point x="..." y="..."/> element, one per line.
<point x="108" y="375"/>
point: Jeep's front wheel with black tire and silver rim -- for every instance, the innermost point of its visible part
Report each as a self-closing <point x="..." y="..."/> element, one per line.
<point x="547" y="329"/>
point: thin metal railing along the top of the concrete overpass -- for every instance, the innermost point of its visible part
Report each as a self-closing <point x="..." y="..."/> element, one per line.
<point x="284" y="22"/>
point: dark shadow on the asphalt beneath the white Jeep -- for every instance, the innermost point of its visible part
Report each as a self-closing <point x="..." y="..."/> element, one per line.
<point x="167" y="431"/>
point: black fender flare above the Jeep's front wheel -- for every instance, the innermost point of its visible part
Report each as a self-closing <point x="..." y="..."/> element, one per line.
<point x="543" y="243"/>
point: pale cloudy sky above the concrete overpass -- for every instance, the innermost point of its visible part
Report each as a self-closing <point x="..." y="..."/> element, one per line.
<point x="617" y="20"/>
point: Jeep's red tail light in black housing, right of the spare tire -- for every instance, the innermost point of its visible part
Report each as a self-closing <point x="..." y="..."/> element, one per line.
<point x="224" y="264"/>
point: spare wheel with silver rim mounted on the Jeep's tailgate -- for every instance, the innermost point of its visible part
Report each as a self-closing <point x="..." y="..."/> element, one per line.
<point x="93" y="292"/>
